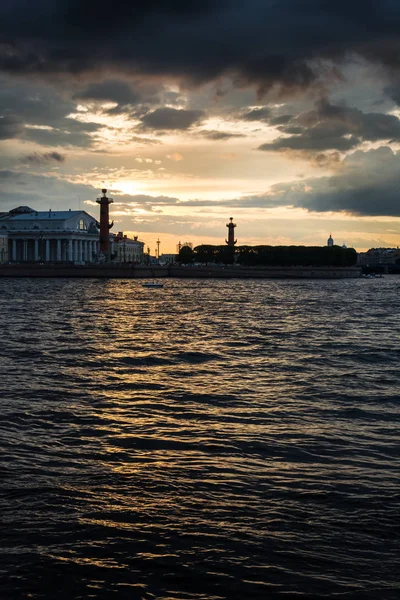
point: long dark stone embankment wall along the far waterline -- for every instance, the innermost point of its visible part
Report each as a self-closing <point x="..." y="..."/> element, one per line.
<point x="143" y="272"/>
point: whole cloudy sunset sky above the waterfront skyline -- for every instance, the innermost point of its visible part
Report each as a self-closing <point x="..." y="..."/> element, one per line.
<point x="283" y="114"/>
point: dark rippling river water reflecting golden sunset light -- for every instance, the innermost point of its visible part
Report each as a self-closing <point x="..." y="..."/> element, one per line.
<point x="208" y="440"/>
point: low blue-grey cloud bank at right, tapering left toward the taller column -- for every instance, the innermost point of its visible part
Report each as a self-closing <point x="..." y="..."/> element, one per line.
<point x="366" y="184"/>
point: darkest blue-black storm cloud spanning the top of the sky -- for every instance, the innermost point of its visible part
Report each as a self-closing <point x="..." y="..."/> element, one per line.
<point x="255" y="40"/>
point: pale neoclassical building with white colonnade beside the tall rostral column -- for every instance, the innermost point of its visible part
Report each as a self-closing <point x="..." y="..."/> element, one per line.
<point x="50" y="236"/>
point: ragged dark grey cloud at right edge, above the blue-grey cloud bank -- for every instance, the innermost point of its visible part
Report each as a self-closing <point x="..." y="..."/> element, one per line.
<point x="334" y="127"/>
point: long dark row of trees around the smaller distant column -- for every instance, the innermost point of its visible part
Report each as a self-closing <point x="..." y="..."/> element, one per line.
<point x="271" y="256"/>
